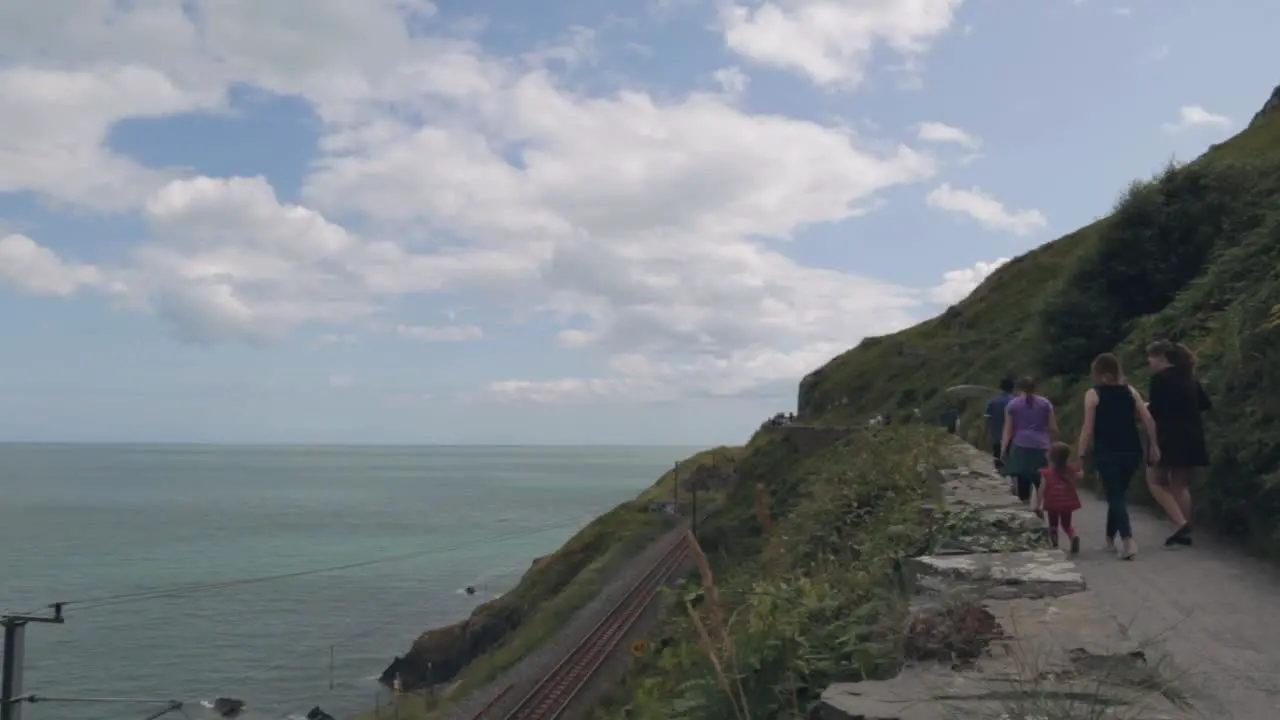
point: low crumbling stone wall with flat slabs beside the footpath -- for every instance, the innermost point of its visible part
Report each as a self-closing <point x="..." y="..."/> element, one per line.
<point x="1048" y="649"/>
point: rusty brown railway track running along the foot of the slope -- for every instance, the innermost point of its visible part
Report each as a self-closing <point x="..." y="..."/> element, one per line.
<point x="557" y="690"/>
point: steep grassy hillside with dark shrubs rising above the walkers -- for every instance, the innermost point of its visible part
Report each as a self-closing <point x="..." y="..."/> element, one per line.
<point x="1192" y="254"/>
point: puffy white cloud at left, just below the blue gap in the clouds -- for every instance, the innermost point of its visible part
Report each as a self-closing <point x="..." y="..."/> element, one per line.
<point x="230" y="262"/>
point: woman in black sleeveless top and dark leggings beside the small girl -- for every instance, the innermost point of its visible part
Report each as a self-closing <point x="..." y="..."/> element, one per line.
<point x="1113" y="411"/>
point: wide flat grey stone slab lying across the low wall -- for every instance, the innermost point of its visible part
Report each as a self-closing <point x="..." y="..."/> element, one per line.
<point x="996" y="576"/>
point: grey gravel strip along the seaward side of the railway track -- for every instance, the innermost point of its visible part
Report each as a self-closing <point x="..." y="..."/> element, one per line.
<point x="533" y="668"/>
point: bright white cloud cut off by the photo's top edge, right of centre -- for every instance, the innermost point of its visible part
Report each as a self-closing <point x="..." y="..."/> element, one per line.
<point x="833" y="42"/>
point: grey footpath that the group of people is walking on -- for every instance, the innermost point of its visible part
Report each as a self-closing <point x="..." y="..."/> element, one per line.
<point x="1210" y="609"/>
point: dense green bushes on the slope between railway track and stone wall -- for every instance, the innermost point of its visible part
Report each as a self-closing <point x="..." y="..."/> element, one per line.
<point x="820" y="604"/>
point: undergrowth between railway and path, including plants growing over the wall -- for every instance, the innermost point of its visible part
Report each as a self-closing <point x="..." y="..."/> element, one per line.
<point x="817" y="599"/>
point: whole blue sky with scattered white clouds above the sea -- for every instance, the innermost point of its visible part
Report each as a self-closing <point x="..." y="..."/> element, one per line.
<point x="573" y="222"/>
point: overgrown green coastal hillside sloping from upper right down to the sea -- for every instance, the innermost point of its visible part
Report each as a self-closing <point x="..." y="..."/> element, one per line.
<point x="1191" y="254"/>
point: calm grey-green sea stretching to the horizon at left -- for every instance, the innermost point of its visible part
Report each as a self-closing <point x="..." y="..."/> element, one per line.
<point x="285" y="577"/>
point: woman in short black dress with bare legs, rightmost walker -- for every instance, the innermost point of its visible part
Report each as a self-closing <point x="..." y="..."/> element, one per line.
<point x="1177" y="402"/>
